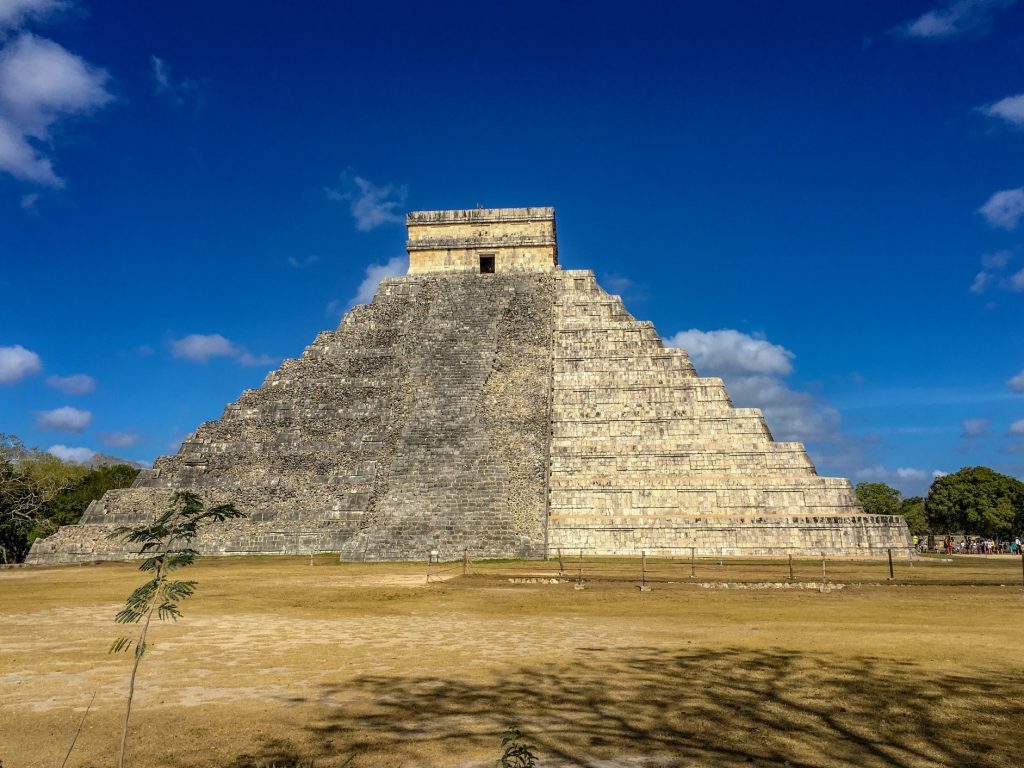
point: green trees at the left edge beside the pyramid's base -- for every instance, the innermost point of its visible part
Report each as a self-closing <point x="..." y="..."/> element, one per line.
<point x="39" y="494"/>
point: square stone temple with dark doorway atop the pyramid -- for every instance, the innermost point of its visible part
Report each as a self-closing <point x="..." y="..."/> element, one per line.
<point x="483" y="240"/>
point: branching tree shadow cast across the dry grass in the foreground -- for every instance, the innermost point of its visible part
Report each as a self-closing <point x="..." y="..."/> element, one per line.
<point x="641" y="707"/>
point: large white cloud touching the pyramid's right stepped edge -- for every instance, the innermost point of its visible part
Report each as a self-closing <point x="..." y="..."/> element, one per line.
<point x="752" y="369"/>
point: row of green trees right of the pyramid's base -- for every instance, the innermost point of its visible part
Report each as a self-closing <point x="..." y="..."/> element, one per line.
<point x="975" y="501"/>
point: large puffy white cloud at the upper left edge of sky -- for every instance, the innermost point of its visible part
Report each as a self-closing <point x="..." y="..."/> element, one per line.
<point x="40" y="83"/>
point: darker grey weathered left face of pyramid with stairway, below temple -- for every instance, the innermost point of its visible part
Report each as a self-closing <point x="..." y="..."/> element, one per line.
<point x="374" y="443"/>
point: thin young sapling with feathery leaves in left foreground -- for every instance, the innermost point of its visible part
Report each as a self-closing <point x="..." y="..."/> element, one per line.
<point x="166" y="546"/>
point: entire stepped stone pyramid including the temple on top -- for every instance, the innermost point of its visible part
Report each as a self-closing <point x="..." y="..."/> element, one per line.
<point x="491" y="401"/>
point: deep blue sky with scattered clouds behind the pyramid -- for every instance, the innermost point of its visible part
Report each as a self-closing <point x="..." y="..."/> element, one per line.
<point x="823" y="202"/>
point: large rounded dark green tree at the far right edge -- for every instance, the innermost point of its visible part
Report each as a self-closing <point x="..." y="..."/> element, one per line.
<point x="976" y="501"/>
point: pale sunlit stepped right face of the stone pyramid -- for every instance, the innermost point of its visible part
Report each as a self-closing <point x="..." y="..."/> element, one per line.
<point x="646" y="455"/>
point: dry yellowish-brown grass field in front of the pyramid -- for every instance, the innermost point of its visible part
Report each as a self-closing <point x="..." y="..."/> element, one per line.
<point x="278" y="662"/>
